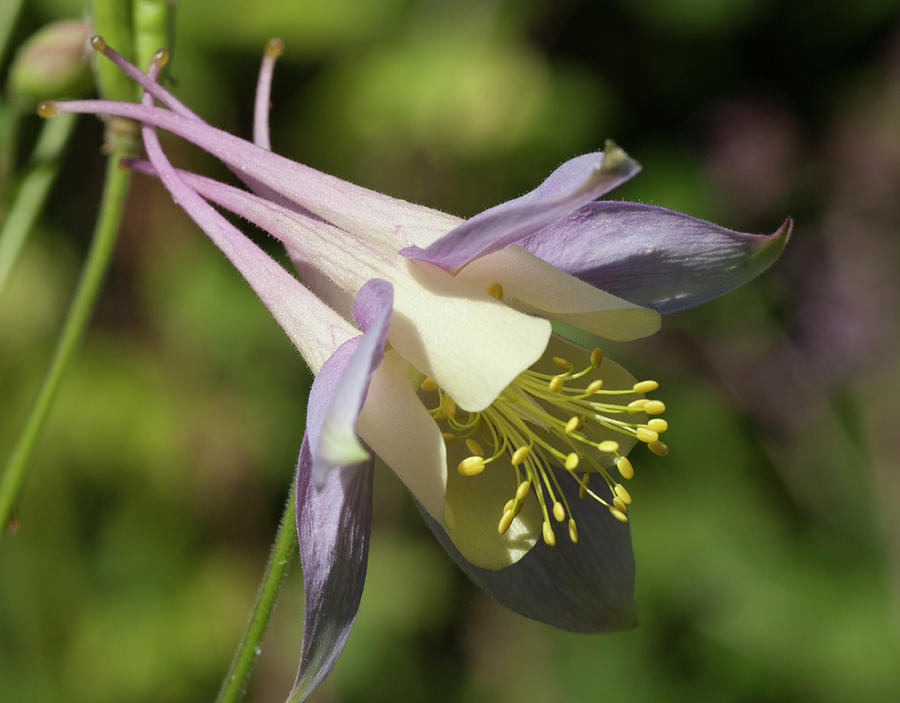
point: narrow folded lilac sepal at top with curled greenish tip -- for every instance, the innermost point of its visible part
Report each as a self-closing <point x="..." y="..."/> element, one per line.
<point x="576" y="182"/>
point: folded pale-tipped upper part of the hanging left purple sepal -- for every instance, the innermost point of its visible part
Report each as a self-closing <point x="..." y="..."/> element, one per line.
<point x="339" y="390"/>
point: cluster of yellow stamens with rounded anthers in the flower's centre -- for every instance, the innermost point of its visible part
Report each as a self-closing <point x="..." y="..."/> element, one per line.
<point x="559" y="419"/>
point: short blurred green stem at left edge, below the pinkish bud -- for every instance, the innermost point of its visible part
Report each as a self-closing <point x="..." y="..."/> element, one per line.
<point x="34" y="190"/>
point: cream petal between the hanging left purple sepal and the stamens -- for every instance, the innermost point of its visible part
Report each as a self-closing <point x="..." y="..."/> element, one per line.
<point x="398" y="428"/>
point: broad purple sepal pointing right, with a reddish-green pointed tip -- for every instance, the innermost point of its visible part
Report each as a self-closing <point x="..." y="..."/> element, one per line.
<point x="655" y="257"/>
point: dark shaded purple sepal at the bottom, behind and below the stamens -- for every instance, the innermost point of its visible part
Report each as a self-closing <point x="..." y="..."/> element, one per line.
<point x="584" y="587"/>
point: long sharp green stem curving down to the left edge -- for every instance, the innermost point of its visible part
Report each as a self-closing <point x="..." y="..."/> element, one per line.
<point x="114" y="191"/>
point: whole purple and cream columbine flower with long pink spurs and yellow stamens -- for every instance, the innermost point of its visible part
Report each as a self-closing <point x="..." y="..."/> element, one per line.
<point x="432" y="346"/>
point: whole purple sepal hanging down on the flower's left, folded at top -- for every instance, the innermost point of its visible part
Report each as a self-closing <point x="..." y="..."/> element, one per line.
<point x="334" y="490"/>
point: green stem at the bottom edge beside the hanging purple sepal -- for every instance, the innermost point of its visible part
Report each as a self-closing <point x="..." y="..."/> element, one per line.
<point x="245" y="656"/>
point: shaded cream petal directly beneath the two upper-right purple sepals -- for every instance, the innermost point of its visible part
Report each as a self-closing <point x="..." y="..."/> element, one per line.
<point x="534" y="286"/>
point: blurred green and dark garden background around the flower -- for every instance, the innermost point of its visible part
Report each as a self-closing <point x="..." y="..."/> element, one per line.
<point x="767" y="542"/>
